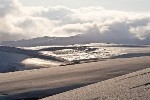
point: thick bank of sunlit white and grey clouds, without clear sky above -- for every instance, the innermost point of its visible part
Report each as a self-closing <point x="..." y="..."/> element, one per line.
<point x="21" y="22"/>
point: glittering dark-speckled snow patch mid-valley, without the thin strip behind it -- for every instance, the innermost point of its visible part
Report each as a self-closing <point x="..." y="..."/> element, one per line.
<point x="71" y="54"/>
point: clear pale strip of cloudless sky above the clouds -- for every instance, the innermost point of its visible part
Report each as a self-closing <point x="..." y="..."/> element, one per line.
<point x="124" y="5"/>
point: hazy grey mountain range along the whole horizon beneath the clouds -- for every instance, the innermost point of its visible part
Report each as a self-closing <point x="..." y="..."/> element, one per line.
<point x="77" y="39"/>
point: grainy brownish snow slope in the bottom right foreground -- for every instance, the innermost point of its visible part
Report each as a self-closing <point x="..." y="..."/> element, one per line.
<point x="134" y="86"/>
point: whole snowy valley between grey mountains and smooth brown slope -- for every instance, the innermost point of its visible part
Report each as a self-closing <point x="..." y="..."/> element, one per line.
<point x="21" y="58"/>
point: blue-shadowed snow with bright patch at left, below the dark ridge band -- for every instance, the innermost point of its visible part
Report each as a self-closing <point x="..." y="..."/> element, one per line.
<point x="10" y="62"/>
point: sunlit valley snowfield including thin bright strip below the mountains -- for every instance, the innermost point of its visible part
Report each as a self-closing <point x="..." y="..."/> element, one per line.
<point x="91" y="51"/>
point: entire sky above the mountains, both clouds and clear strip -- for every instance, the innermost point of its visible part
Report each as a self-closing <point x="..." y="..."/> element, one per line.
<point x="122" y="21"/>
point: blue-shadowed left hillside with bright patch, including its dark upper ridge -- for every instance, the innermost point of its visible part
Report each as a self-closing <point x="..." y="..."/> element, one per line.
<point x="15" y="59"/>
